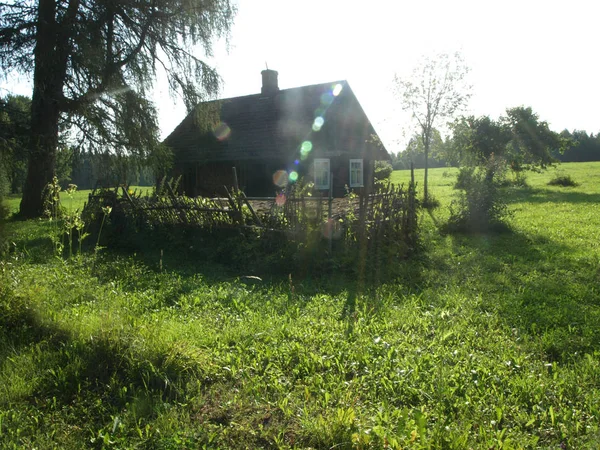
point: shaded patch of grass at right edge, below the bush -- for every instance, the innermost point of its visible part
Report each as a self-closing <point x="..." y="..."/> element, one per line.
<point x="533" y="283"/>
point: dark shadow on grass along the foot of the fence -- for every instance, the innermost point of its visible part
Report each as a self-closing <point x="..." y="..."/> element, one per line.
<point x="265" y="264"/>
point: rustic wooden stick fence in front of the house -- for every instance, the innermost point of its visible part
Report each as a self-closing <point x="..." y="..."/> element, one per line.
<point x="390" y="212"/>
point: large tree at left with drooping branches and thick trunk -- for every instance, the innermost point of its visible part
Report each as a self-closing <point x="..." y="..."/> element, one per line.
<point x="94" y="64"/>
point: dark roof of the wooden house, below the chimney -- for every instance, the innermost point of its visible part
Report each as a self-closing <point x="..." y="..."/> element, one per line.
<point x="274" y="126"/>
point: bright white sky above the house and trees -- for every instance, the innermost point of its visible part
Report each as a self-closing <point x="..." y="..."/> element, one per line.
<point x="542" y="54"/>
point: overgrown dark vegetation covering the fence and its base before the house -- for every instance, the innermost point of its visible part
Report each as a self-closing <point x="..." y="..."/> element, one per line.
<point x="299" y="232"/>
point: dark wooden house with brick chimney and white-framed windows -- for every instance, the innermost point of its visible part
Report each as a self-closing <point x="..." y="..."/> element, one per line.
<point x="316" y="133"/>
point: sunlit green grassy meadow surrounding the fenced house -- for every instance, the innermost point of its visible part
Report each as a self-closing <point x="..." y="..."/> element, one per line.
<point x="480" y="341"/>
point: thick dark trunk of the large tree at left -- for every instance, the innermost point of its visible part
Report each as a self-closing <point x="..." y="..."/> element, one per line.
<point x="48" y="78"/>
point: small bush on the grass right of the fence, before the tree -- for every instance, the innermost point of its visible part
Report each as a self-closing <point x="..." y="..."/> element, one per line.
<point x="480" y="206"/>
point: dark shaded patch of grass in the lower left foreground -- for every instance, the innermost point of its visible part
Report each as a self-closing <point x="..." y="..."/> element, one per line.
<point x="69" y="367"/>
